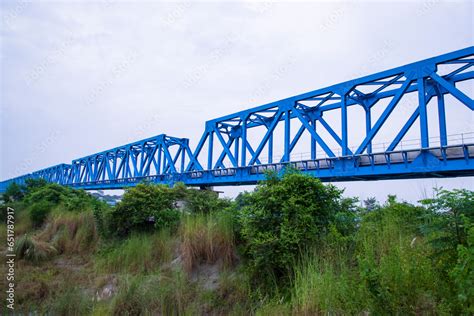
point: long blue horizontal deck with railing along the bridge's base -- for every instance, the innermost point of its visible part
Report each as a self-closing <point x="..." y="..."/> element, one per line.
<point x="450" y="161"/>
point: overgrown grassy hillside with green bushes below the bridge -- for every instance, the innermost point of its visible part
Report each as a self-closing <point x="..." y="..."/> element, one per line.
<point x="293" y="246"/>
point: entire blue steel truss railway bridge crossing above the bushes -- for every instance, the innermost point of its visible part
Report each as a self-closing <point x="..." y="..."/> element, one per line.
<point x="336" y="127"/>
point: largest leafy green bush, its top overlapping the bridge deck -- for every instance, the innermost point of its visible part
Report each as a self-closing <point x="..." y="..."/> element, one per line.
<point x="284" y="217"/>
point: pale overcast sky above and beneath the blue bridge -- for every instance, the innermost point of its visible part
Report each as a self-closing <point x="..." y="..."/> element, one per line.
<point x="78" y="78"/>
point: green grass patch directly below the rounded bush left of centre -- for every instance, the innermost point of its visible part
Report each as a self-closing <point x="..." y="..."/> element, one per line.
<point x="137" y="254"/>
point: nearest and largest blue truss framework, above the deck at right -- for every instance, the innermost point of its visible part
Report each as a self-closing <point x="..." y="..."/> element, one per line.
<point x="308" y="109"/>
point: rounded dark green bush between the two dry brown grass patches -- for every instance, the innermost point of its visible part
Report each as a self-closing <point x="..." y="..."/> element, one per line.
<point x="144" y="208"/>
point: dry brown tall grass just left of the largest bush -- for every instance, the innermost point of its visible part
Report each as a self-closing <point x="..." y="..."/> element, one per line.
<point x="207" y="238"/>
